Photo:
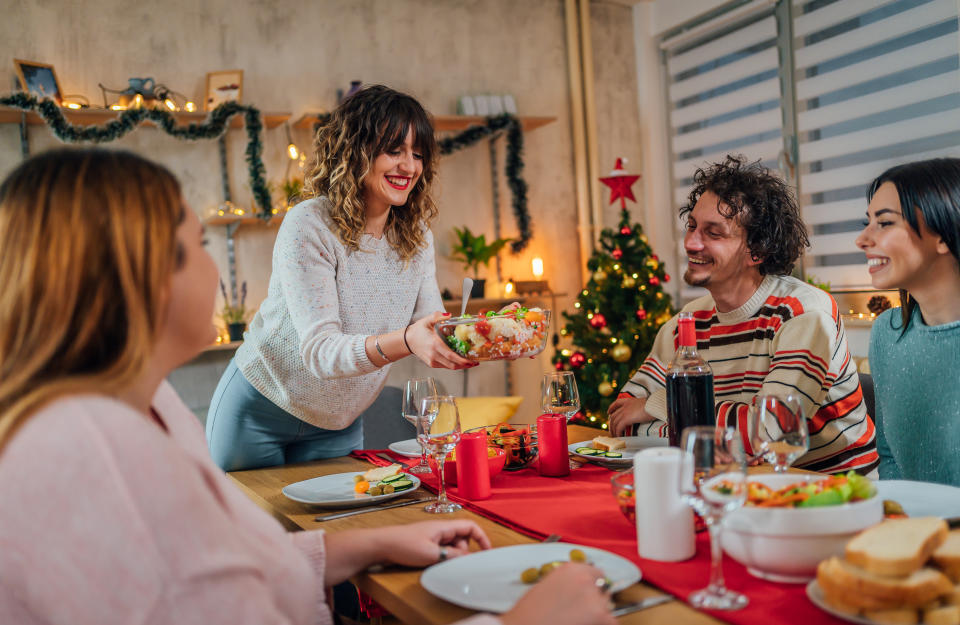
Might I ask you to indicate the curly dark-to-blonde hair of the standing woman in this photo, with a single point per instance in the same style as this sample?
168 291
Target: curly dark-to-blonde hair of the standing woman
372 121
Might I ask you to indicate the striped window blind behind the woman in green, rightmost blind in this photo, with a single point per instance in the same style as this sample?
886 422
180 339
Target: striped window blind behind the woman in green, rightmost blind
877 84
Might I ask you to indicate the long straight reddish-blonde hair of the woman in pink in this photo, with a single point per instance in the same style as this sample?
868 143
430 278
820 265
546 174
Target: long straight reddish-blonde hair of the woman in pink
89 246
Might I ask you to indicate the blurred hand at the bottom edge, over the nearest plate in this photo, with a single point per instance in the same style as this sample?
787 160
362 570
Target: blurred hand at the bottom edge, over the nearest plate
569 595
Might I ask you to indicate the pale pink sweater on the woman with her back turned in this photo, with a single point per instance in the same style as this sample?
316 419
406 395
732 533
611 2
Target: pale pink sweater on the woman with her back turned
105 518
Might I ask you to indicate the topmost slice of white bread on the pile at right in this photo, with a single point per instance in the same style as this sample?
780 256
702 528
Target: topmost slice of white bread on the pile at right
897 547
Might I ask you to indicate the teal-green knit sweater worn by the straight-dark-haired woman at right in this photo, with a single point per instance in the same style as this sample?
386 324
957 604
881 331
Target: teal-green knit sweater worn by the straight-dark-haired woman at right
917 382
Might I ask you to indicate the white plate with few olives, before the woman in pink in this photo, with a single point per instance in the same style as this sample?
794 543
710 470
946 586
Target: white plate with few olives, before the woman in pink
490 580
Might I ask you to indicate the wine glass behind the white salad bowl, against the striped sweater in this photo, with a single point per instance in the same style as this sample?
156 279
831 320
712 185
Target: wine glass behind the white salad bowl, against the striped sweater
777 430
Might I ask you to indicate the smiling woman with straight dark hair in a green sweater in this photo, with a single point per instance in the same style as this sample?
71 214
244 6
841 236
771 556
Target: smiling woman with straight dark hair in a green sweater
912 242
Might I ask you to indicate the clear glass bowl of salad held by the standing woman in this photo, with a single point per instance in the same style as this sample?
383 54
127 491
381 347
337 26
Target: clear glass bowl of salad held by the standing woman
504 335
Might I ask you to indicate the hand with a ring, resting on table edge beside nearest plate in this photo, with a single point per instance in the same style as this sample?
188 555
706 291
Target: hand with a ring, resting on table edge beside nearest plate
429 542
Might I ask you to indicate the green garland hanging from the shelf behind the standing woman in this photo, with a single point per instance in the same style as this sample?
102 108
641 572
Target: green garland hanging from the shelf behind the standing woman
514 163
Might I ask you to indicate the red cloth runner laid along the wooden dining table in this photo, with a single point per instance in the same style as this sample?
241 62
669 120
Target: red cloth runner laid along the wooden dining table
582 509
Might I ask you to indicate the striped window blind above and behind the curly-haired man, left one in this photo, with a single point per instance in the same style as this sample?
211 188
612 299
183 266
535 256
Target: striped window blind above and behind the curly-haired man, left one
724 98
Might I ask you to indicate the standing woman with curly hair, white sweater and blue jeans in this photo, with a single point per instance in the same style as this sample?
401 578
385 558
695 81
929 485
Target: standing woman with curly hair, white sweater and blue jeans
353 289
